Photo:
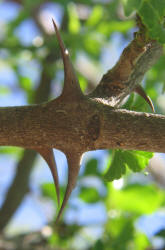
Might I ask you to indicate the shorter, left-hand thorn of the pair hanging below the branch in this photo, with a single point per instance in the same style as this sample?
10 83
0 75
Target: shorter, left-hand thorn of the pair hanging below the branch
47 154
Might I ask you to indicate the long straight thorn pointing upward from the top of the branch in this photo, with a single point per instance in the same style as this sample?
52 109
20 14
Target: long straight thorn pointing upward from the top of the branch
70 79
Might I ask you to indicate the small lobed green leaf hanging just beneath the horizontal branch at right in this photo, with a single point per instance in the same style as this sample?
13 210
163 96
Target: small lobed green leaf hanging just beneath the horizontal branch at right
134 160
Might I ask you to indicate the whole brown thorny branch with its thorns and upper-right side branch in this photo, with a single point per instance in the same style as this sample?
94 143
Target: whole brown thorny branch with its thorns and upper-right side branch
75 123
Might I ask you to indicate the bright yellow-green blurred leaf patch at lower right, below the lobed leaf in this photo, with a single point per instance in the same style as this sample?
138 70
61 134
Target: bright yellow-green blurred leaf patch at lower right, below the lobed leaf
137 198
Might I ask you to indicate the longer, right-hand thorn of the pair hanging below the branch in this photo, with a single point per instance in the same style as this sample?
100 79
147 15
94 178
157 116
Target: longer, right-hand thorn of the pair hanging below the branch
73 171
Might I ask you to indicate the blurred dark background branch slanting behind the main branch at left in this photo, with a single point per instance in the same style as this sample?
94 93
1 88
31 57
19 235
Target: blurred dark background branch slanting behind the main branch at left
20 185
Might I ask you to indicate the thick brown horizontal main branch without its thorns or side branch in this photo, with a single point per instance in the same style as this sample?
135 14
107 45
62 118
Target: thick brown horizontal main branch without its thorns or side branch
61 126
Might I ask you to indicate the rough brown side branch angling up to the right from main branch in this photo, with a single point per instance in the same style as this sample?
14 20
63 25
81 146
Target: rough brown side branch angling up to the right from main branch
137 58
